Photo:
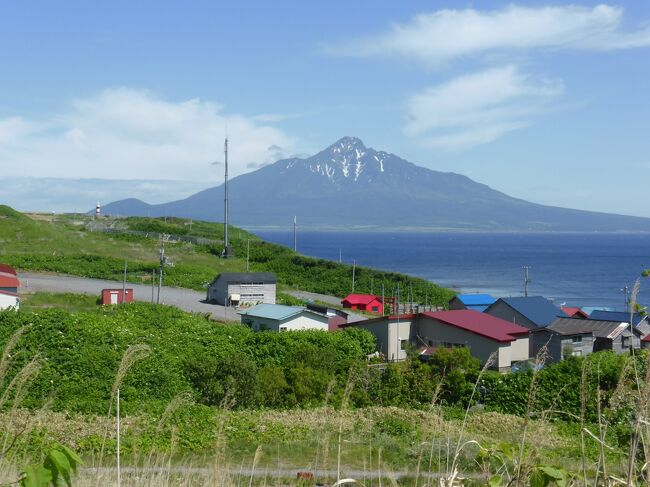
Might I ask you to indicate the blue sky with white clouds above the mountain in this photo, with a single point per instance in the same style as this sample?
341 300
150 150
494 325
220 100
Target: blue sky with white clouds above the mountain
544 101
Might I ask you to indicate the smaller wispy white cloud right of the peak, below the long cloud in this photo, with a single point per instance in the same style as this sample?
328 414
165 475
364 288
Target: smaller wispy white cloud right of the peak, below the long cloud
478 108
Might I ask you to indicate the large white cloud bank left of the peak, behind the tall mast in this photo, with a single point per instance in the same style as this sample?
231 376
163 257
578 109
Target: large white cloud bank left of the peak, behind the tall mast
125 133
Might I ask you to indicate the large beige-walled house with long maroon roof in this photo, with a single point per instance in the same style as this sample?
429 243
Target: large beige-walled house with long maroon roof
483 334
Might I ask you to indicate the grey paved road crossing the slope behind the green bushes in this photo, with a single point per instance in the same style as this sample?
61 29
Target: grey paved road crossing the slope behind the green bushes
184 299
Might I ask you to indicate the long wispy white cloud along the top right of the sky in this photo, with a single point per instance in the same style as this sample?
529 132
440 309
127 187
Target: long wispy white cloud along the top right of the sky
445 35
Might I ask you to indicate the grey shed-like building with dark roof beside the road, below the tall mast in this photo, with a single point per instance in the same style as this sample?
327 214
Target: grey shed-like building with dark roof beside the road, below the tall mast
242 288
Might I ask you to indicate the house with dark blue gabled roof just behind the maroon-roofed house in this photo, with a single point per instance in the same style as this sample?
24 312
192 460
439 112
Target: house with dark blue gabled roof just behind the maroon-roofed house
530 311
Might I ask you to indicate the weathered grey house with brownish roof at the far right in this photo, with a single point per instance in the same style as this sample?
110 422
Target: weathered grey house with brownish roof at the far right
577 336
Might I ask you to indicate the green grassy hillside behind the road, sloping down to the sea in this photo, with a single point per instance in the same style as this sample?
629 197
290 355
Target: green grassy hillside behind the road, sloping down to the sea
79 245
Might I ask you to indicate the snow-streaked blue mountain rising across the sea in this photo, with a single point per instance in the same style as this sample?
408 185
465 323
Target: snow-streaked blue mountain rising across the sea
349 185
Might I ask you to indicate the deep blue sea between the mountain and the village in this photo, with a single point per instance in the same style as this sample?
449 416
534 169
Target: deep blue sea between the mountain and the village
571 269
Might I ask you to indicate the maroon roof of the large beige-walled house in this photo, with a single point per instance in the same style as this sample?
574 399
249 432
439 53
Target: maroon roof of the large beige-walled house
479 323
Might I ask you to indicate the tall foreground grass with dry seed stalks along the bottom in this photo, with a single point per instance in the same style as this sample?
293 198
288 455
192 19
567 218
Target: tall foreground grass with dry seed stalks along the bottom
374 446
